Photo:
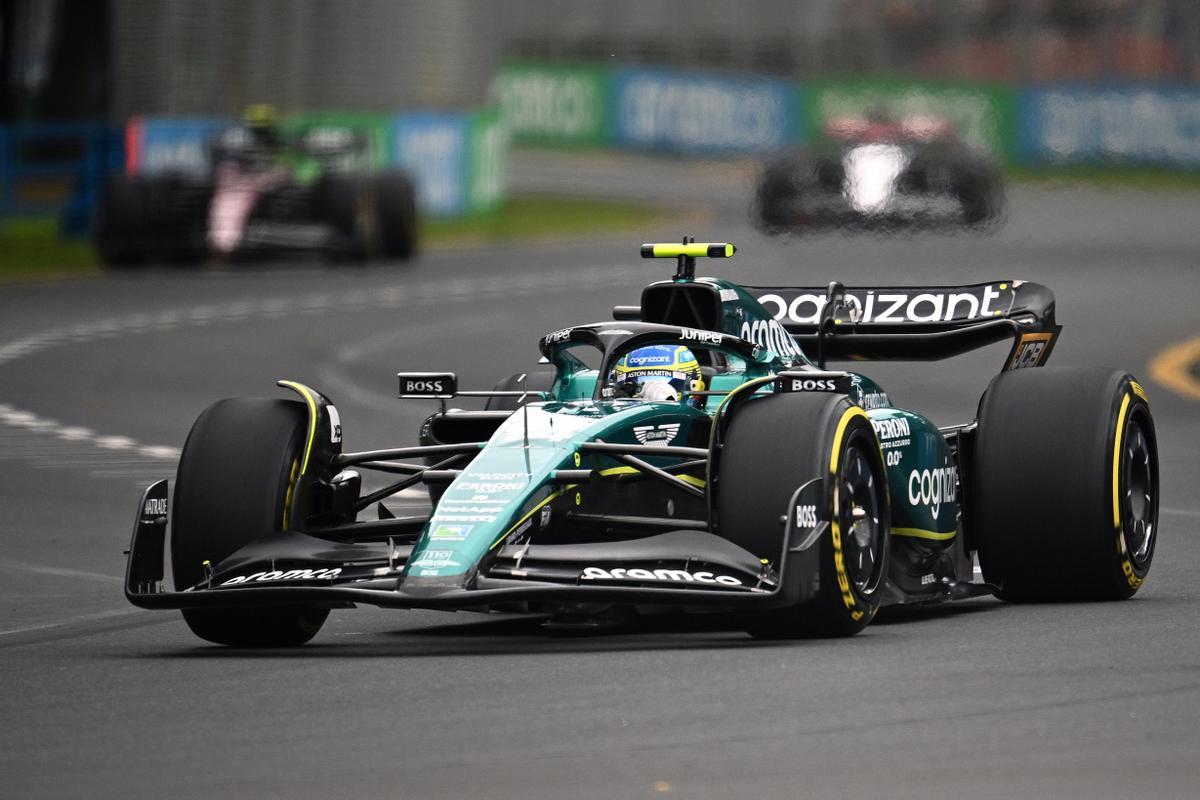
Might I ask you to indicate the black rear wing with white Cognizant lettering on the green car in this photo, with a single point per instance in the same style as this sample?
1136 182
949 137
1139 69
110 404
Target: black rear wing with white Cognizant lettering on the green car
919 323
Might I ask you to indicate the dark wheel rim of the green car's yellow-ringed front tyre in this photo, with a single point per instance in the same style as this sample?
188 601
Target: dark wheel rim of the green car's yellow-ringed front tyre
859 512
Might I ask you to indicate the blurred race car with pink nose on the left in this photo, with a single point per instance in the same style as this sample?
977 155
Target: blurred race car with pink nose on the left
267 195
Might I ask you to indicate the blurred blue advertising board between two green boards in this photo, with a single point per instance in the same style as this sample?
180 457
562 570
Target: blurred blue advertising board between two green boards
699 113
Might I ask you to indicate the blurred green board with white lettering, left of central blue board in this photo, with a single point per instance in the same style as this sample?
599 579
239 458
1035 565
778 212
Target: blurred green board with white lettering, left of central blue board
559 105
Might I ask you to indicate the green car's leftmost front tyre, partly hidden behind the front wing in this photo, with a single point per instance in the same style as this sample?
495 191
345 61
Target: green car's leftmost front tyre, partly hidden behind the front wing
236 478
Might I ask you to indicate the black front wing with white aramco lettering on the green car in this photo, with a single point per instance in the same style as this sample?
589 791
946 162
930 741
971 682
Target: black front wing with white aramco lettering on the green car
681 569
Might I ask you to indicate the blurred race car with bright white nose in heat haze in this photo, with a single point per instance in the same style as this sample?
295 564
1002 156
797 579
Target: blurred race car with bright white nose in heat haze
880 172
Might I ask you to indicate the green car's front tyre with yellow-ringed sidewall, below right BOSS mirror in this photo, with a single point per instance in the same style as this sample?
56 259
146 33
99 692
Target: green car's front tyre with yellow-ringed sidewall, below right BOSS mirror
776 446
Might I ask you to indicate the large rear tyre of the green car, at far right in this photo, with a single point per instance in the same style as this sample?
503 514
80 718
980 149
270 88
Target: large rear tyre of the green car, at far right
1065 486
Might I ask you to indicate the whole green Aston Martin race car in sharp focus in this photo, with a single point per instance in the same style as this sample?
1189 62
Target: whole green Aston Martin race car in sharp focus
743 476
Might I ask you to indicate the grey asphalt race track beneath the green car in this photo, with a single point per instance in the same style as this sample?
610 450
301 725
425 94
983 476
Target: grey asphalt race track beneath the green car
100 381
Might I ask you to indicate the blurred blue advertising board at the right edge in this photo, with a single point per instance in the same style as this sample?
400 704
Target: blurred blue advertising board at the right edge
1151 125
